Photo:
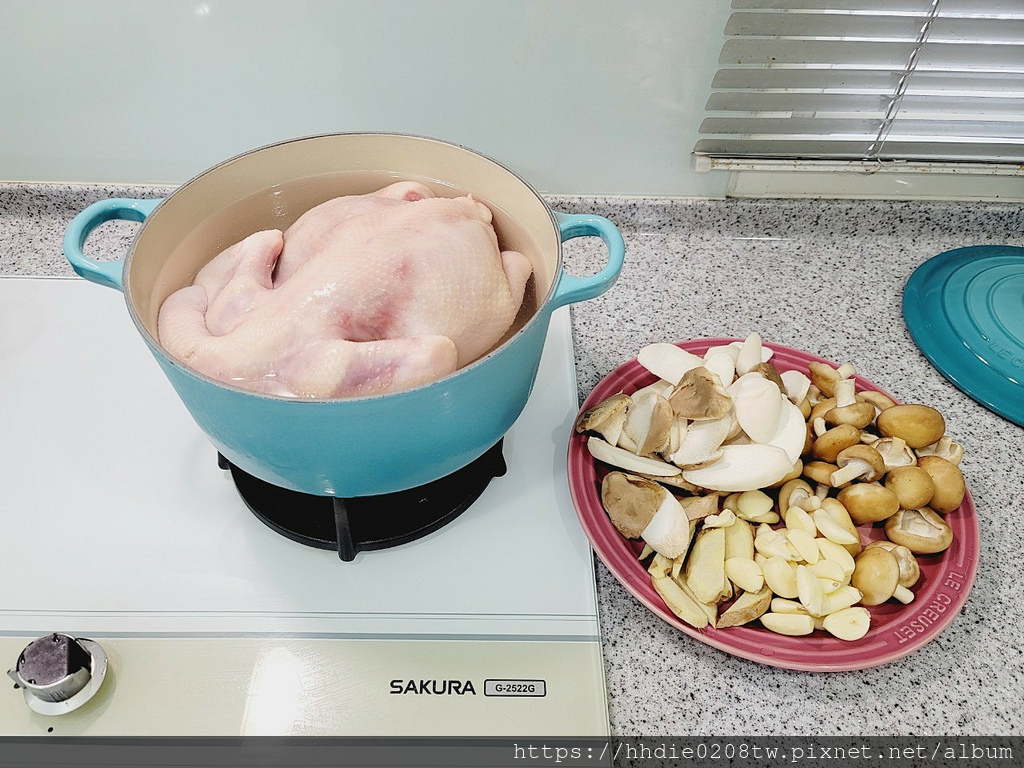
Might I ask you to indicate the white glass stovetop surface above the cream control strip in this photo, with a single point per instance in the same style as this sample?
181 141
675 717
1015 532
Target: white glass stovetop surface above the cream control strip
117 521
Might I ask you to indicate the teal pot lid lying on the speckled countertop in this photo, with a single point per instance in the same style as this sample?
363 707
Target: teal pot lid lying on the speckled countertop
965 310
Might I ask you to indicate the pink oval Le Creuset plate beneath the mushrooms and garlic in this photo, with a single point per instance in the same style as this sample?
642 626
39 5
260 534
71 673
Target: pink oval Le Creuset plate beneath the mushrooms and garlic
897 630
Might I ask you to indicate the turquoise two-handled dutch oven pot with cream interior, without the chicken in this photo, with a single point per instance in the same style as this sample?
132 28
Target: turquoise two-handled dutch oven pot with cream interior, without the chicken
356 447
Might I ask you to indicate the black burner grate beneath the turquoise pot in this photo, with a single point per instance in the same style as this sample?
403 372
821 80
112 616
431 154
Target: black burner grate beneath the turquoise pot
369 523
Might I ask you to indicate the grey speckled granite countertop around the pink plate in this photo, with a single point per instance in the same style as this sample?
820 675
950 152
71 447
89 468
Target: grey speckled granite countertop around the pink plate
826 277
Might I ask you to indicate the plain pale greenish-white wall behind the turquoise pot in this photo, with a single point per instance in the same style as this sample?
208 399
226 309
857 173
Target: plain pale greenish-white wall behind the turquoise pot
604 97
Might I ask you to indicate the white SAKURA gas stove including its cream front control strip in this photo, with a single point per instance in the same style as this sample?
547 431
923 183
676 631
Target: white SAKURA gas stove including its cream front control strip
119 527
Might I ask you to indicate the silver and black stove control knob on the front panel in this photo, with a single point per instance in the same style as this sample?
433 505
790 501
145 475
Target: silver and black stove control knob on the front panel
60 673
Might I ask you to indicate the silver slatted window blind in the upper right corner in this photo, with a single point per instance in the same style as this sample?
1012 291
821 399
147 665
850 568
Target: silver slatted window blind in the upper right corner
918 81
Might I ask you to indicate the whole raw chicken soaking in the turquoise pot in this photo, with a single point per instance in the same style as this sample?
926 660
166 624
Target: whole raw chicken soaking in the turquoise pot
362 295
